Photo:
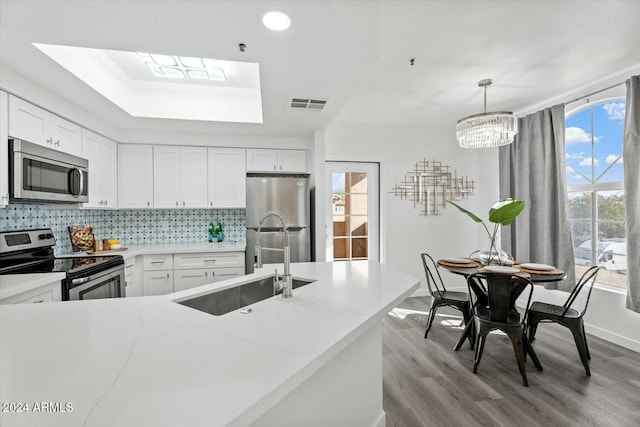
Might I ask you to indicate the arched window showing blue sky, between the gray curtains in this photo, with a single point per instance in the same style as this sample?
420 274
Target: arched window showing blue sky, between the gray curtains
596 190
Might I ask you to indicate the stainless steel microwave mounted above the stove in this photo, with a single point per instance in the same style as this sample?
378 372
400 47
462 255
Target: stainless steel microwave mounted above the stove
40 174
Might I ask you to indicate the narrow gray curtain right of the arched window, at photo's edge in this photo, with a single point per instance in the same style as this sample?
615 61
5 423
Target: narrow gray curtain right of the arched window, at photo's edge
631 156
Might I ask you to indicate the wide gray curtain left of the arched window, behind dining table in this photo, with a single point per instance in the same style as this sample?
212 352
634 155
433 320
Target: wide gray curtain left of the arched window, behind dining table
533 169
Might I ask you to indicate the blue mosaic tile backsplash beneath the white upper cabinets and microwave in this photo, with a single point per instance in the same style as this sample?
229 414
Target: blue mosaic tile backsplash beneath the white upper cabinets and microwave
131 227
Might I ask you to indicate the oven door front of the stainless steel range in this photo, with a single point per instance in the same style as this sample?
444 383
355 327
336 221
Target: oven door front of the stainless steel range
102 284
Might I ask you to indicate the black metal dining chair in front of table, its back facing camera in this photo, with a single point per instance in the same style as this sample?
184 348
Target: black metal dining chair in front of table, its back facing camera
500 312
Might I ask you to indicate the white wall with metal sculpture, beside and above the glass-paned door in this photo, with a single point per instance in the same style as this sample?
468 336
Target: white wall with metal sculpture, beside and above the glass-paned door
405 233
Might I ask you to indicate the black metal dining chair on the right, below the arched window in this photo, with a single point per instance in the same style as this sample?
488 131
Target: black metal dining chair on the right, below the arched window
566 315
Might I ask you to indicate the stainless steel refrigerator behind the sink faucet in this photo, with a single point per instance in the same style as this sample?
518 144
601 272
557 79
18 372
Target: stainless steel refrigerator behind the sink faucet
288 195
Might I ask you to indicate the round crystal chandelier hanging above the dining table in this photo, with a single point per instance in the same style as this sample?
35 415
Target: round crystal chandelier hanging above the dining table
486 130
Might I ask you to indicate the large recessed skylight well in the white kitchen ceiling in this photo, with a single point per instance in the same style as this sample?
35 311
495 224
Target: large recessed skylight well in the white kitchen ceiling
167 86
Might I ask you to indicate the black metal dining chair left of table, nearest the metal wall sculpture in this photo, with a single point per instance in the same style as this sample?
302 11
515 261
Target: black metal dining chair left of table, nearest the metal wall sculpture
440 296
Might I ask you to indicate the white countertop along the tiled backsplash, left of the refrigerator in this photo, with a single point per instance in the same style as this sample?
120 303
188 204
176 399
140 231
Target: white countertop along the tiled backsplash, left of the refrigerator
168 248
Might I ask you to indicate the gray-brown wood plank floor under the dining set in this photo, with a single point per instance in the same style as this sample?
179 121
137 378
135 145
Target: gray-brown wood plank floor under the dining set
426 383
